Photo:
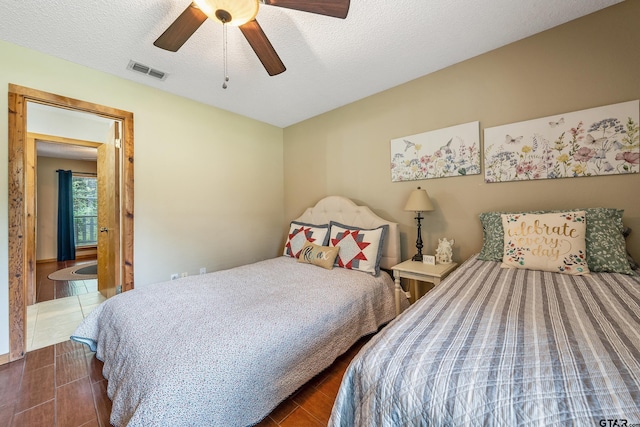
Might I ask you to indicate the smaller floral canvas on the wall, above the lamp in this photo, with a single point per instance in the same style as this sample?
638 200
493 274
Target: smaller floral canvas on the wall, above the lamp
452 151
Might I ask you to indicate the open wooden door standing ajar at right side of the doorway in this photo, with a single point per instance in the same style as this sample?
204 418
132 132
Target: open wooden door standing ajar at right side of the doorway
108 217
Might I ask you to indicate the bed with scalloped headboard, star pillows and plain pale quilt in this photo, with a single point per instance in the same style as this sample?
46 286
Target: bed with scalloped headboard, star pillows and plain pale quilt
235 343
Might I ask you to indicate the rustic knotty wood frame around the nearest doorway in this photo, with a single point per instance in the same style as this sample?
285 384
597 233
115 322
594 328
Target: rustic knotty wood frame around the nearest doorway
20 217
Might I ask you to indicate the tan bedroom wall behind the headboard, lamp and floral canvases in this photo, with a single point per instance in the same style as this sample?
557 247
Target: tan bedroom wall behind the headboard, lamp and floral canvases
586 63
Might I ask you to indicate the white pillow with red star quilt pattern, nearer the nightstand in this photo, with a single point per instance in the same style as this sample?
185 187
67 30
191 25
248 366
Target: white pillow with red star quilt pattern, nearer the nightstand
360 248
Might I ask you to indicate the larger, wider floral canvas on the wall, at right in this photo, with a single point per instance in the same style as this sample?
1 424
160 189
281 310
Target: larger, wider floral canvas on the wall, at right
597 141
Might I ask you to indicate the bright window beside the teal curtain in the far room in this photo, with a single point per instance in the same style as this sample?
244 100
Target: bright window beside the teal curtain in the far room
85 209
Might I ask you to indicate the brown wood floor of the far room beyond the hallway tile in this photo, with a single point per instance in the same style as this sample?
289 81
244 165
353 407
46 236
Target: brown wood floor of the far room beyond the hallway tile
47 289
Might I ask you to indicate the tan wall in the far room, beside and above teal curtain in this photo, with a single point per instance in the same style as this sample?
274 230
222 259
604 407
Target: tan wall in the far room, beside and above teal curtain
47 202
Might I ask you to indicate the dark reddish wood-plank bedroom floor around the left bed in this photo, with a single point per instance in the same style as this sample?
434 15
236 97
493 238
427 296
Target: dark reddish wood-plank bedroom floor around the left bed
62 386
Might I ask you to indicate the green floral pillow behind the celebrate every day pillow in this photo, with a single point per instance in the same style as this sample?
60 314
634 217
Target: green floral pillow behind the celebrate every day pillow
606 248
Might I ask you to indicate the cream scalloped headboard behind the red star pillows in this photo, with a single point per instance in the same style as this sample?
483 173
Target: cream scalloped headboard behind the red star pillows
345 211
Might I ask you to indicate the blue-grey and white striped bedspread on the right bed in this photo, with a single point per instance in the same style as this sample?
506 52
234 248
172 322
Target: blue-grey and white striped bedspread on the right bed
500 347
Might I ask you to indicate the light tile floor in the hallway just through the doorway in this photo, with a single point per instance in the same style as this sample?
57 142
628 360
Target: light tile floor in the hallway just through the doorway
53 321
